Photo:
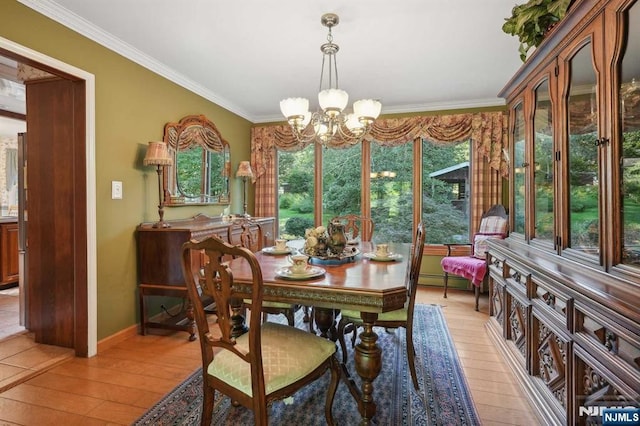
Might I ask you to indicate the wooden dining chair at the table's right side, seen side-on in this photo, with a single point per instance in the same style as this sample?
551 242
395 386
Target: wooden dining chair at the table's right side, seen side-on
351 320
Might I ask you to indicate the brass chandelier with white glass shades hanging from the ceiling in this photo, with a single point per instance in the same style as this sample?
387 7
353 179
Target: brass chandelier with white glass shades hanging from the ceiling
331 121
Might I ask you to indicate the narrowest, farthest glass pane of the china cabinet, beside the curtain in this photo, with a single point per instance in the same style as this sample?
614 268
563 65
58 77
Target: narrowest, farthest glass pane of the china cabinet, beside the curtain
518 170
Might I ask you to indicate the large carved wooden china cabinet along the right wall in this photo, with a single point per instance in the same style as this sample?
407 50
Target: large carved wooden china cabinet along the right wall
565 285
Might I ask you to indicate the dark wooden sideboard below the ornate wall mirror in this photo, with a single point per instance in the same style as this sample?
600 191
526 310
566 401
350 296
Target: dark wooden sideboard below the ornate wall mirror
159 267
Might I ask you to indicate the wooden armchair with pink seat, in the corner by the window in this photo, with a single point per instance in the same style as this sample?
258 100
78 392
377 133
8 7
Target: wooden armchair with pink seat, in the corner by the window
494 224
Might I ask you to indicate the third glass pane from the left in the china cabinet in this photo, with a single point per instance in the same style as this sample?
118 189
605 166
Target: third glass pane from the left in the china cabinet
582 117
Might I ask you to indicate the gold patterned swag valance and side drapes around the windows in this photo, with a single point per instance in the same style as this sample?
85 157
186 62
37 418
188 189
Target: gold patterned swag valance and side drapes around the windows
487 131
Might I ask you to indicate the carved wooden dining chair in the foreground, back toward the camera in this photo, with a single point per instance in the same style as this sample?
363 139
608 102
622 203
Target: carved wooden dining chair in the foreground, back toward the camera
269 362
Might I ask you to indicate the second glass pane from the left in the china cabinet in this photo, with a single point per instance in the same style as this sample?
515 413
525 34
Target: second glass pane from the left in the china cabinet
543 164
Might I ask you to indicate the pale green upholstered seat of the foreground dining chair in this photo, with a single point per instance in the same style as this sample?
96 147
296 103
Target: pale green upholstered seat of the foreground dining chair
288 354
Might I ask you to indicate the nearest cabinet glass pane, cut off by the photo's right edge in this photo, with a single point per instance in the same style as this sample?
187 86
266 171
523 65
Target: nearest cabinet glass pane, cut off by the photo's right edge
629 95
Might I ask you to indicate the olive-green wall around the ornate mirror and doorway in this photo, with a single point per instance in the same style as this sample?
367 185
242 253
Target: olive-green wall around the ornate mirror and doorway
132 106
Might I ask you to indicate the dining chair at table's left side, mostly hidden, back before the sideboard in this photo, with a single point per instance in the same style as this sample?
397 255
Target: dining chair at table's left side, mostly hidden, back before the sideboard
248 234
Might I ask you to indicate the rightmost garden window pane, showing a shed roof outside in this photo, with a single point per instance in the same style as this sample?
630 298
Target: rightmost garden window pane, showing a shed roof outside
446 191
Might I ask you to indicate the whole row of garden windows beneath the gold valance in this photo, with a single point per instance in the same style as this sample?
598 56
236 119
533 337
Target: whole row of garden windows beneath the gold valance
386 192
